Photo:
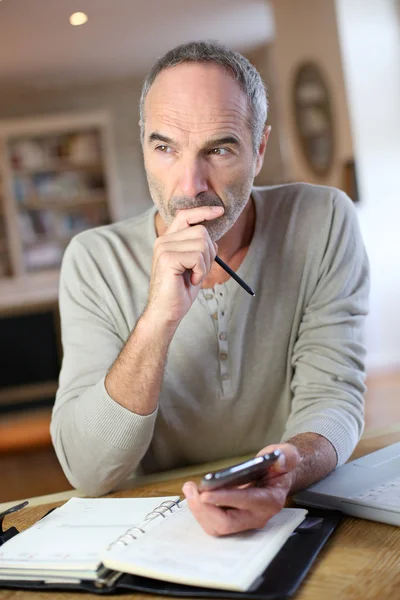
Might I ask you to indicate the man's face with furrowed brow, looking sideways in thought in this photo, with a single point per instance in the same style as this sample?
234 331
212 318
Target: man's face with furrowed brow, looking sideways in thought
197 145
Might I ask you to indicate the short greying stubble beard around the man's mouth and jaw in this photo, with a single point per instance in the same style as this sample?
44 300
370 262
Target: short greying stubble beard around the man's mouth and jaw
233 201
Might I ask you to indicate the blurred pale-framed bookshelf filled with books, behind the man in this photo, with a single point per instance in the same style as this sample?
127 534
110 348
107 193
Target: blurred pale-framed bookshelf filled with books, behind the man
58 181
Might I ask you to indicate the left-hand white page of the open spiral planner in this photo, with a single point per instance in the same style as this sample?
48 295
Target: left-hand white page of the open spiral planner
73 537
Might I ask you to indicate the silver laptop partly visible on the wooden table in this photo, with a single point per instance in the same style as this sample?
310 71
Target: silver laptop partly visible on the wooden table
368 487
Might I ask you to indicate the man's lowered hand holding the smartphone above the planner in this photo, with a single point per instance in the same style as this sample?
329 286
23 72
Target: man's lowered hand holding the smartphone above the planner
231 510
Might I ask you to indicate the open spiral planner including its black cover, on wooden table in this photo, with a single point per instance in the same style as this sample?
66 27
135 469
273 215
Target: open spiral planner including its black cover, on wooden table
155 545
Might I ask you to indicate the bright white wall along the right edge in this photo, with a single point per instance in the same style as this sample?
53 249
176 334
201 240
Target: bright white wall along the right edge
370 38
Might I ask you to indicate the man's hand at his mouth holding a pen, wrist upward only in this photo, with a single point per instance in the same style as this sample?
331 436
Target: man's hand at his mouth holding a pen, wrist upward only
182 258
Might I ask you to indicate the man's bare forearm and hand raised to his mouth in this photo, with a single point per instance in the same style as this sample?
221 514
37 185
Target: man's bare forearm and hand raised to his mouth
182 258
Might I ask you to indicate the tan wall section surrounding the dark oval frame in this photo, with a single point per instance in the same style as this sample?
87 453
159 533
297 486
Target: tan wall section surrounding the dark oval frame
304 30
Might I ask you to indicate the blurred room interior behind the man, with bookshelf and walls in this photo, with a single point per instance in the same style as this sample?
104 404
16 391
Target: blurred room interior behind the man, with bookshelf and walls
70 158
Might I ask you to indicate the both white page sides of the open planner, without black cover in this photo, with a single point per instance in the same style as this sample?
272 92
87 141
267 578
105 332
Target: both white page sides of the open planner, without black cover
158 538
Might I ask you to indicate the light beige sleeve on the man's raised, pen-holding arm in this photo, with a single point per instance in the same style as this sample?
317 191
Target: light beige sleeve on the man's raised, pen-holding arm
98 442
